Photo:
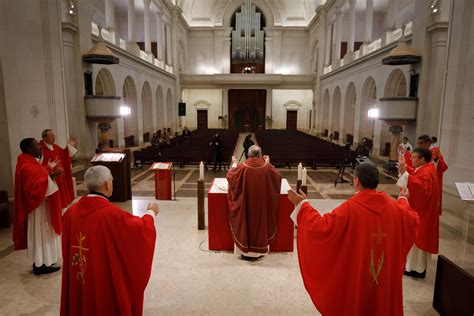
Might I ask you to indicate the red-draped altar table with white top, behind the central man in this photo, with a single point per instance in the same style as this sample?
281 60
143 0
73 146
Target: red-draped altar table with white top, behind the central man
220 237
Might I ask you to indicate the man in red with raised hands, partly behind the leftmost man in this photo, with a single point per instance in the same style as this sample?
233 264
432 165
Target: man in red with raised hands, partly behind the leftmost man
52 152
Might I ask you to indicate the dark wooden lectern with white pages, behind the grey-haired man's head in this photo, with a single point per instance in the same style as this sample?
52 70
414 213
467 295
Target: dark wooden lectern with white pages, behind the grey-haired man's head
118 161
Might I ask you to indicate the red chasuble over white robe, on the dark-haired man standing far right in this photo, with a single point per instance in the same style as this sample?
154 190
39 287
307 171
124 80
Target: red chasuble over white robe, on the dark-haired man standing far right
424 198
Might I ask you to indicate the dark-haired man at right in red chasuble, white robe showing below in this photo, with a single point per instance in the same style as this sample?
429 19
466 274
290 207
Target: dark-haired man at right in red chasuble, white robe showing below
423 185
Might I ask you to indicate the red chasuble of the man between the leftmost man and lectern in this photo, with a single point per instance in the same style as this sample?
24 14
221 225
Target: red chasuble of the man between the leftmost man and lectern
64 181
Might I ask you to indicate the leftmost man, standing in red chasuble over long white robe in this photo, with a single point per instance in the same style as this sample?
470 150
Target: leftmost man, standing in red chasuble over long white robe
37 214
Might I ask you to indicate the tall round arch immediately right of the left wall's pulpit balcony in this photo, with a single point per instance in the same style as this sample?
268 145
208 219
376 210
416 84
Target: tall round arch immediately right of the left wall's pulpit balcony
129 96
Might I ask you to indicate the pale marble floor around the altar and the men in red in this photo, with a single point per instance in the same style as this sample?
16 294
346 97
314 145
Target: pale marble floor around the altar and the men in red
187 279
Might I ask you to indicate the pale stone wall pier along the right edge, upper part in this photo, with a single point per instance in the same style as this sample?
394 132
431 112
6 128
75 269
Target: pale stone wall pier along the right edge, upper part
457 132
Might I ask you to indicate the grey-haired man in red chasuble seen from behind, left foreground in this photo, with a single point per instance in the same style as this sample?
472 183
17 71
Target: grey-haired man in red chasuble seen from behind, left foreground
108 252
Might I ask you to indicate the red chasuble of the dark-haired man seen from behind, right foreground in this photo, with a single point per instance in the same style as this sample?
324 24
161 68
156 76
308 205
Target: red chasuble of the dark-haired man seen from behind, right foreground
352 259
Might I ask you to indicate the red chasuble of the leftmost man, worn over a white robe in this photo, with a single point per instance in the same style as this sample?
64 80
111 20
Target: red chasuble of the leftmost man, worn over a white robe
31 184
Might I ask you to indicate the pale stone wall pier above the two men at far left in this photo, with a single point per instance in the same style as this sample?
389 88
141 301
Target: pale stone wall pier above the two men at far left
33 85
